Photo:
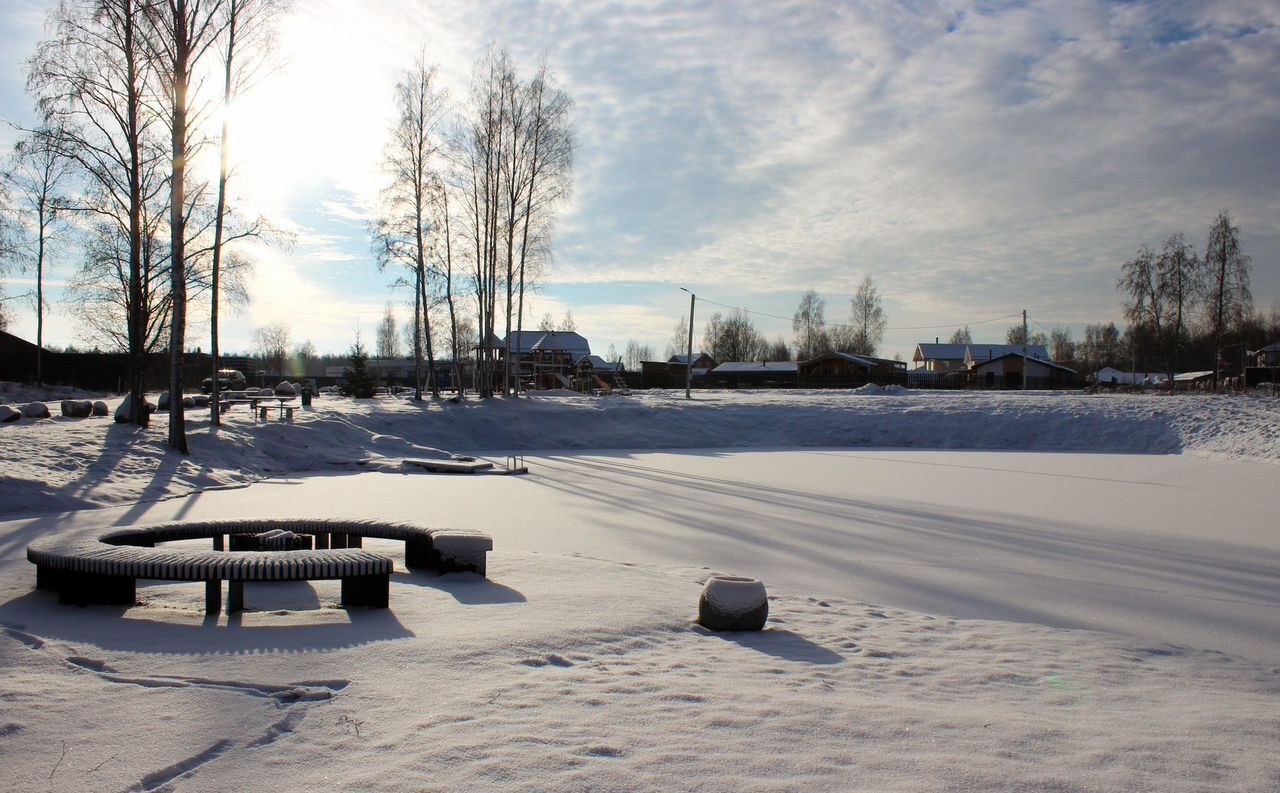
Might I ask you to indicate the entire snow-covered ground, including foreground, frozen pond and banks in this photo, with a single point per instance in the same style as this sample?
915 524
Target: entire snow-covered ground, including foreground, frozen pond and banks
1020 613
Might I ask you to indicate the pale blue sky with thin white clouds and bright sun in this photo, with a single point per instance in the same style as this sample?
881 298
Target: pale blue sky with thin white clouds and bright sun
975 159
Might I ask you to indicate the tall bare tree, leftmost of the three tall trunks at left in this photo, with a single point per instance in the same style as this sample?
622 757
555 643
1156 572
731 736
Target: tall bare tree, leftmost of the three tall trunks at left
92 82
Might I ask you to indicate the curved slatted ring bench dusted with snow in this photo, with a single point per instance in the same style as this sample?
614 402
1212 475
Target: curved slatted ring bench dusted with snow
104 569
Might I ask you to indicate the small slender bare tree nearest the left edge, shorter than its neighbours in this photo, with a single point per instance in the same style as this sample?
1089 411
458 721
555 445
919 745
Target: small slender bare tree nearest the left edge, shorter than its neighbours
38 176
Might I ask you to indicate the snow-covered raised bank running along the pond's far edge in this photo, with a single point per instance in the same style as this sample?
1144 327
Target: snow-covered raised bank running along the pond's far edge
84 464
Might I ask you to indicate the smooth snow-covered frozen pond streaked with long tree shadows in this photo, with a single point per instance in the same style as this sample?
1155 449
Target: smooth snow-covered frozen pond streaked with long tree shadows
1165 548
